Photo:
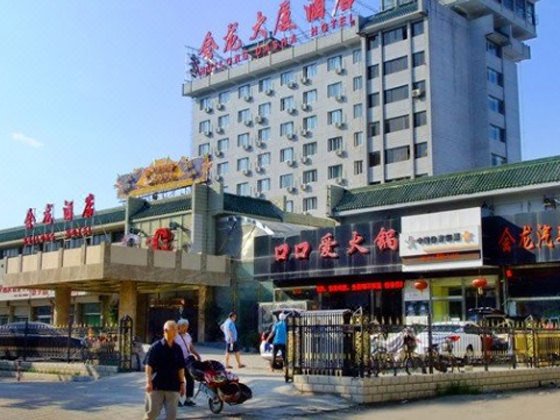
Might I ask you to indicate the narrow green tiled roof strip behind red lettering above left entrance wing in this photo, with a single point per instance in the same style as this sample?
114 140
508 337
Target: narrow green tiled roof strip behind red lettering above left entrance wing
103 217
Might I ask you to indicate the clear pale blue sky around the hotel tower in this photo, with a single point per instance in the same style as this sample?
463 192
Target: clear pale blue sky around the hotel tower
90 89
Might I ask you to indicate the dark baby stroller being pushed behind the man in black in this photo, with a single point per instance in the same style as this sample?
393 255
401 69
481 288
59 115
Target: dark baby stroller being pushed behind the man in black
218 384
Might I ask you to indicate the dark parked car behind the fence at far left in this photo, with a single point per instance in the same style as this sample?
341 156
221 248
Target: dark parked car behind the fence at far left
38 340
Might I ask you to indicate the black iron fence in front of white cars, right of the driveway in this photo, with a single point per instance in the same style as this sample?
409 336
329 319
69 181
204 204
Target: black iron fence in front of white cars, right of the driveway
345 343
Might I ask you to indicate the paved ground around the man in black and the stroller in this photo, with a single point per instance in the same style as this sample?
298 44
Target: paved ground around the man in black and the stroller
122 396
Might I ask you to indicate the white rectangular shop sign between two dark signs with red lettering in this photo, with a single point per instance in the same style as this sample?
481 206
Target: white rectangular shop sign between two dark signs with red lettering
442 240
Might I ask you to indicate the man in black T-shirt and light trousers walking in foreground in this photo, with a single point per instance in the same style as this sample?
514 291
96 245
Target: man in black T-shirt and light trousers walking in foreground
165 375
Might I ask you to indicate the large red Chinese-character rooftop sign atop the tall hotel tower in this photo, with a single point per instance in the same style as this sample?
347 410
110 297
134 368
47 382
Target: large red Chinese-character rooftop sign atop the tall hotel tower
266 42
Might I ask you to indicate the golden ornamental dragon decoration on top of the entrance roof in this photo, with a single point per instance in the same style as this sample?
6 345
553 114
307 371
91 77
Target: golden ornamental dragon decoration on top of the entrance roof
164 175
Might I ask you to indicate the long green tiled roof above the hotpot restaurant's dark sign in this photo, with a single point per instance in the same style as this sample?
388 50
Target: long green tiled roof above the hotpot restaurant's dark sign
517 175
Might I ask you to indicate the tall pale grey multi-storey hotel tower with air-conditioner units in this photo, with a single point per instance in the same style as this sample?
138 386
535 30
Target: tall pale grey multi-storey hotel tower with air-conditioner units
423 87
